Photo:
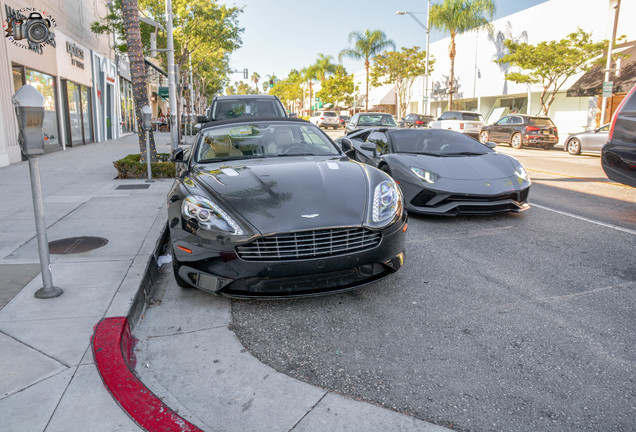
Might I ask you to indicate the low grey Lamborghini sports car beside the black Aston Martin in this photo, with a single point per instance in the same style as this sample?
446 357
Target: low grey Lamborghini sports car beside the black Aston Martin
443 172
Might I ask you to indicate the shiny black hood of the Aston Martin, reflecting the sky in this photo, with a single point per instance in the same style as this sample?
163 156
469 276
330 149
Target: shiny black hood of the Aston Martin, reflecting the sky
289 194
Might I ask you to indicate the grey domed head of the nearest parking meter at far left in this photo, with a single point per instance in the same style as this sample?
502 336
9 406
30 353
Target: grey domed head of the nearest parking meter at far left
29 109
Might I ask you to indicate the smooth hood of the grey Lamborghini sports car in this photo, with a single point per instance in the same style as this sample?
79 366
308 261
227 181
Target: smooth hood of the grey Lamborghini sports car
488 166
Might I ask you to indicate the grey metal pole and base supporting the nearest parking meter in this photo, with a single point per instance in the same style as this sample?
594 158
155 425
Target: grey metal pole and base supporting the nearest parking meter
48 290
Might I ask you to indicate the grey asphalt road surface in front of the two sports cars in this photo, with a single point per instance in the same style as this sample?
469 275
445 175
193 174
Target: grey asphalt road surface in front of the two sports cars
500 323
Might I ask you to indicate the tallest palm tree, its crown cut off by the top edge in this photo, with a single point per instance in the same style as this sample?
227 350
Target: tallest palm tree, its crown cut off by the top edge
456 17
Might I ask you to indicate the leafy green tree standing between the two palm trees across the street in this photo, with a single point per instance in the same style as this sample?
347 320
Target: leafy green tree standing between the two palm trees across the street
400 68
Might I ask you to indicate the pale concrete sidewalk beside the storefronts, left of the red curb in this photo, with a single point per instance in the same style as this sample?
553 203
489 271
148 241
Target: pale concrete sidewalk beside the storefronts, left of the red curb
47 377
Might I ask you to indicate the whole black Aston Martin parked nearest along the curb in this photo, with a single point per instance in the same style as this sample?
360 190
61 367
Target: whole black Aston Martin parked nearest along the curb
258 209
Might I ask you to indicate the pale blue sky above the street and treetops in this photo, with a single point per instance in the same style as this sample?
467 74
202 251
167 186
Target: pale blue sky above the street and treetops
284 34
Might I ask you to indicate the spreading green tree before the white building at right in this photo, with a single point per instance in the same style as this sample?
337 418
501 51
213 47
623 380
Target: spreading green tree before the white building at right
551 63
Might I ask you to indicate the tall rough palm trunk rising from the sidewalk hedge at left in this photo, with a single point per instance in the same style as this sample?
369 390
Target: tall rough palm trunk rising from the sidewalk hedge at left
130 10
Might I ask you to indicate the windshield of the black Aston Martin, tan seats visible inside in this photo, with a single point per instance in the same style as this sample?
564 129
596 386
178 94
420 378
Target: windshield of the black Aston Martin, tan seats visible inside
261 140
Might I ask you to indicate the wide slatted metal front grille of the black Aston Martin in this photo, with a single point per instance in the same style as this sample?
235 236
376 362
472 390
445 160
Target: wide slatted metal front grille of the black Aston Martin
309 244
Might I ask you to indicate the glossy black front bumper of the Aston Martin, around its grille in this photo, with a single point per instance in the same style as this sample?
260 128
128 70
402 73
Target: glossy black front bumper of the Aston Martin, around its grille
216 268
